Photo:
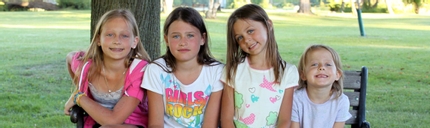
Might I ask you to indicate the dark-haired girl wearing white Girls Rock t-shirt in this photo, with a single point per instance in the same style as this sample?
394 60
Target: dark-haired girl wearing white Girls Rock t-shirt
183 85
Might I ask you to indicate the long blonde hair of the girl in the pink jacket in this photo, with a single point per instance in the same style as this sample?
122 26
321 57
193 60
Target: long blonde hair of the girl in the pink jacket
95 52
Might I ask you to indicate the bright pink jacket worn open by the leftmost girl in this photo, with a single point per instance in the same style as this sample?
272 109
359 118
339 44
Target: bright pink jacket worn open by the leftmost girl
131 88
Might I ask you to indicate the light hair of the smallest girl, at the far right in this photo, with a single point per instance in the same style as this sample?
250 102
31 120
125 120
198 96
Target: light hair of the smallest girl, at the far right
337 86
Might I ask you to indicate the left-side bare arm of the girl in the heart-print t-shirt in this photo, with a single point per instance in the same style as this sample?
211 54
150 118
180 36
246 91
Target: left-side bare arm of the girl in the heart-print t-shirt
227 107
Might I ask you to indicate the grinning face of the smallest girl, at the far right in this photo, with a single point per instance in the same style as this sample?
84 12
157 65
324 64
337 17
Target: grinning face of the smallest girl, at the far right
320 69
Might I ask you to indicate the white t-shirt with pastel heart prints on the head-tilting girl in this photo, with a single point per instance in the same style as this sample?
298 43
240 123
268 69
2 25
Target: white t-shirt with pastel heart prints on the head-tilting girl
258 98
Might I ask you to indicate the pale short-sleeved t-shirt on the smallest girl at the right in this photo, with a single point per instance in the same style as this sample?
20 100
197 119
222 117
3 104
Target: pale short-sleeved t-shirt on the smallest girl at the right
311 115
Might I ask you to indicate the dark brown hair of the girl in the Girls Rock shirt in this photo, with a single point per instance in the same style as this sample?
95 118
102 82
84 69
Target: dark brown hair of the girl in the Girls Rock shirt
192 17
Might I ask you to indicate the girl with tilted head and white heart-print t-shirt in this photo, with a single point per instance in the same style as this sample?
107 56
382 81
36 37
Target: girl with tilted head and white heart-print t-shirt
258 84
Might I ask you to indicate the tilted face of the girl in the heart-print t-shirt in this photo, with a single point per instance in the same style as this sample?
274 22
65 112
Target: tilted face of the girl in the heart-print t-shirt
251 36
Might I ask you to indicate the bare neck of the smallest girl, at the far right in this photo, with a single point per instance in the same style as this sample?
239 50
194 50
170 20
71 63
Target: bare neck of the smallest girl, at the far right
319 95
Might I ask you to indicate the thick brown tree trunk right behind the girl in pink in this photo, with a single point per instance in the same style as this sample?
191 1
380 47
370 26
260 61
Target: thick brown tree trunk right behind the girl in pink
147 17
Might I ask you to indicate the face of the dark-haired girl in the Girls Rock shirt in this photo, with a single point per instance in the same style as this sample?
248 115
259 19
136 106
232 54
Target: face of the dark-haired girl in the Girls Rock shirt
184 40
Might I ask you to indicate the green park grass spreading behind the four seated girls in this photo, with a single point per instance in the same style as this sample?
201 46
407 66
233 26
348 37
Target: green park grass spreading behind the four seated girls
34 83
